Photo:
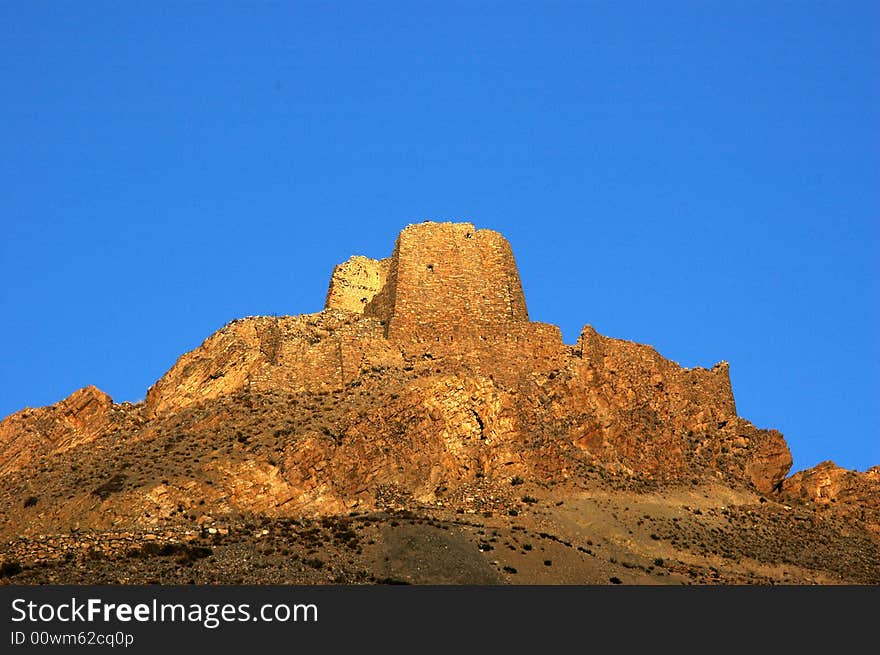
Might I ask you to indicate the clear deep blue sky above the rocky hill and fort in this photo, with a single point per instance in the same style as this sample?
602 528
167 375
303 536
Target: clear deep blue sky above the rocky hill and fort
700 176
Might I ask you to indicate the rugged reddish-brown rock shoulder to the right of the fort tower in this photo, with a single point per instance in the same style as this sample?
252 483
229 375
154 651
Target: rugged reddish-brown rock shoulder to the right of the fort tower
652 416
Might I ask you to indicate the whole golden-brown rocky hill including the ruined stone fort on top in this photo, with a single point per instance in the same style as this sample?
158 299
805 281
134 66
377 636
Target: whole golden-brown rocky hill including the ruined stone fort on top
422 429
